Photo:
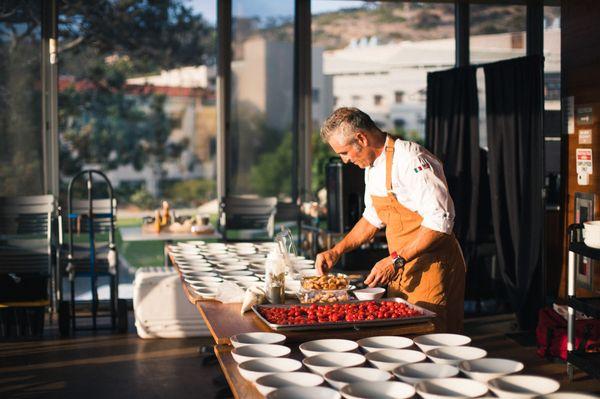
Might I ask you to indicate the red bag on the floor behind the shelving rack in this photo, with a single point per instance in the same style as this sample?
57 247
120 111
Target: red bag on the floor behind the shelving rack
551 334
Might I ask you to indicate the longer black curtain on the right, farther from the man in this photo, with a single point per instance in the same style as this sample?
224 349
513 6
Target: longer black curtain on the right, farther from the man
514 101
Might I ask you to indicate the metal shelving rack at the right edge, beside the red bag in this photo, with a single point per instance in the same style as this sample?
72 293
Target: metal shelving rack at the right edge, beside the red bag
588 362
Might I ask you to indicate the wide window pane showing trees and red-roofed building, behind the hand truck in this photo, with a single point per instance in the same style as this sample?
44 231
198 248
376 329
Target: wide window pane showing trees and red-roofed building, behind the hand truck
142 110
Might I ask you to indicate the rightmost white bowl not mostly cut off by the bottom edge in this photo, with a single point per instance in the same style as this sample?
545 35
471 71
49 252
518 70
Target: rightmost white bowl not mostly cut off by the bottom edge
522 386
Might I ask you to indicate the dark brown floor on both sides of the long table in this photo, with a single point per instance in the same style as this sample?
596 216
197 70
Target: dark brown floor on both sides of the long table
106 365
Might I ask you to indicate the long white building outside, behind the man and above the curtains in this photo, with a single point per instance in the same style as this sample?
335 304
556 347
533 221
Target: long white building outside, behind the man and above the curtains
389 81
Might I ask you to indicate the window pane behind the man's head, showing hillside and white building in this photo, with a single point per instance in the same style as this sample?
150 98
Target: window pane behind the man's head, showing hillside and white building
379 65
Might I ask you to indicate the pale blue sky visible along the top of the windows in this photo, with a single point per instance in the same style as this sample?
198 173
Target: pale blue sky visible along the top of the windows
268 8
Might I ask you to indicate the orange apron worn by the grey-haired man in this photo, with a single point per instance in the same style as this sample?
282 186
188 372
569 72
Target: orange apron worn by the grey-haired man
435 280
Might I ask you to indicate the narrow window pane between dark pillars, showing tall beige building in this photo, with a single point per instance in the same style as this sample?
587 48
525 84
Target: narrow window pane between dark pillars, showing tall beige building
260 147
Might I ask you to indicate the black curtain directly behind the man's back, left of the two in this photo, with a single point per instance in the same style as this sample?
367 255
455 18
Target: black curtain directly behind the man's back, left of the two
452 134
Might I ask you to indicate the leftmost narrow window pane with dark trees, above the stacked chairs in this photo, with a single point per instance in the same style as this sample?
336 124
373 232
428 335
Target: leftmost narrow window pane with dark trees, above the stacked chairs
21 165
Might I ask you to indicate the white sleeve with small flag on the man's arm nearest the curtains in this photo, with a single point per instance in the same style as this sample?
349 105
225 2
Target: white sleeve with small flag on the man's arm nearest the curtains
430 192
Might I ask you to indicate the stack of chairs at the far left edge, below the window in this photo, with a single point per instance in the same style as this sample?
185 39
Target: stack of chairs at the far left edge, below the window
26 262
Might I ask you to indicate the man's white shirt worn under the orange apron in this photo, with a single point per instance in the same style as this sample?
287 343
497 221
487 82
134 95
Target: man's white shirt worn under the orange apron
418 183
